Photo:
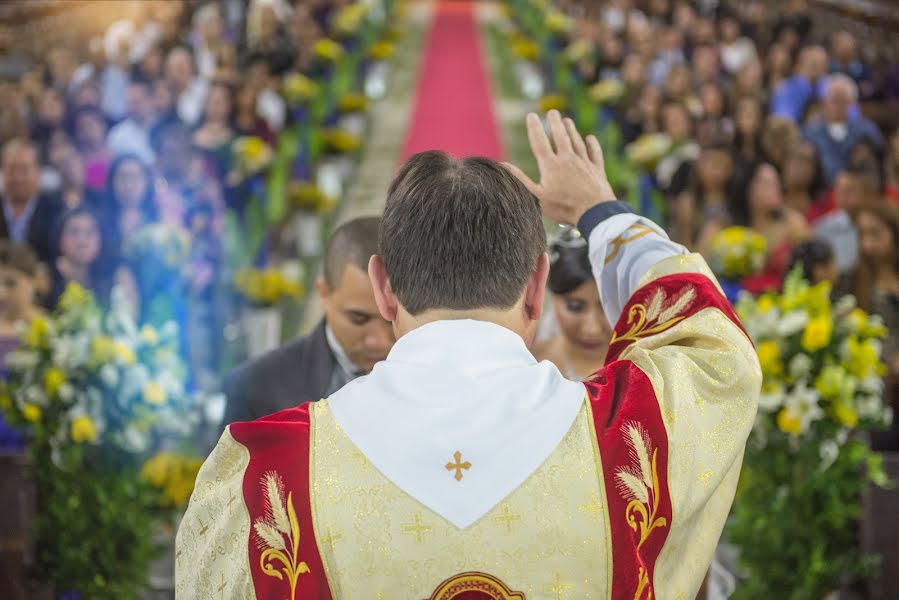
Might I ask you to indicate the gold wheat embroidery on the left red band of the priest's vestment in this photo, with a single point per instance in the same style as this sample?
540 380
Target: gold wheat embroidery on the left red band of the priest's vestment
278 534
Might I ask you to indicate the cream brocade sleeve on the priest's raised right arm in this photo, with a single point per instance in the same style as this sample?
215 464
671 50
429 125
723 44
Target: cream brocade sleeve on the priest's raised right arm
706 376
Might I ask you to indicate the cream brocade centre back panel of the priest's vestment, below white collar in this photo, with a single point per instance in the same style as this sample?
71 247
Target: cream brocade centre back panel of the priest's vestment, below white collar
378 542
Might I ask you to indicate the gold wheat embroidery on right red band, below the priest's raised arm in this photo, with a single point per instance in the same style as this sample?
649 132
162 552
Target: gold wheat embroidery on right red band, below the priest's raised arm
639 483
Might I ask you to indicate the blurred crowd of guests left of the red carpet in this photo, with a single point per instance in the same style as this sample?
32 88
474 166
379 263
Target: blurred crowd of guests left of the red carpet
134 131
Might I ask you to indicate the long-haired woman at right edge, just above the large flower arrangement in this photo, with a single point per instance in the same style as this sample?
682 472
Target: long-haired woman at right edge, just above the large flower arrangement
875 282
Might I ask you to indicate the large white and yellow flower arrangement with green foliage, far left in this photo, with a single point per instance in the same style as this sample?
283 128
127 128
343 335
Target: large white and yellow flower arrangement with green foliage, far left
97 396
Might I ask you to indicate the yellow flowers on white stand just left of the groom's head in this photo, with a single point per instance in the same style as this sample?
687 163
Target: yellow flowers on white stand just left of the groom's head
263 290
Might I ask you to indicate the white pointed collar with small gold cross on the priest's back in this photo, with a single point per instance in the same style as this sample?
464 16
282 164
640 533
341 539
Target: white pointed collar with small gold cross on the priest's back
466 386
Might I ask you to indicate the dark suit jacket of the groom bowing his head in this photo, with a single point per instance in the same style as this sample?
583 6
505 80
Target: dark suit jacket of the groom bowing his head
295 373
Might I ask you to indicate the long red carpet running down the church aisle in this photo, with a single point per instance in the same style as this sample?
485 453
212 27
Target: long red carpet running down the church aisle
453 106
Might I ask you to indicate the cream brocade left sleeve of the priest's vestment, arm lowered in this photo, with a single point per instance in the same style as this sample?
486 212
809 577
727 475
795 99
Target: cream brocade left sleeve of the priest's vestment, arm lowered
211 547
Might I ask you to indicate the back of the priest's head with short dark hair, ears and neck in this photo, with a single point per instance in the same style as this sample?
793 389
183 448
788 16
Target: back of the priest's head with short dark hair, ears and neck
459 238
